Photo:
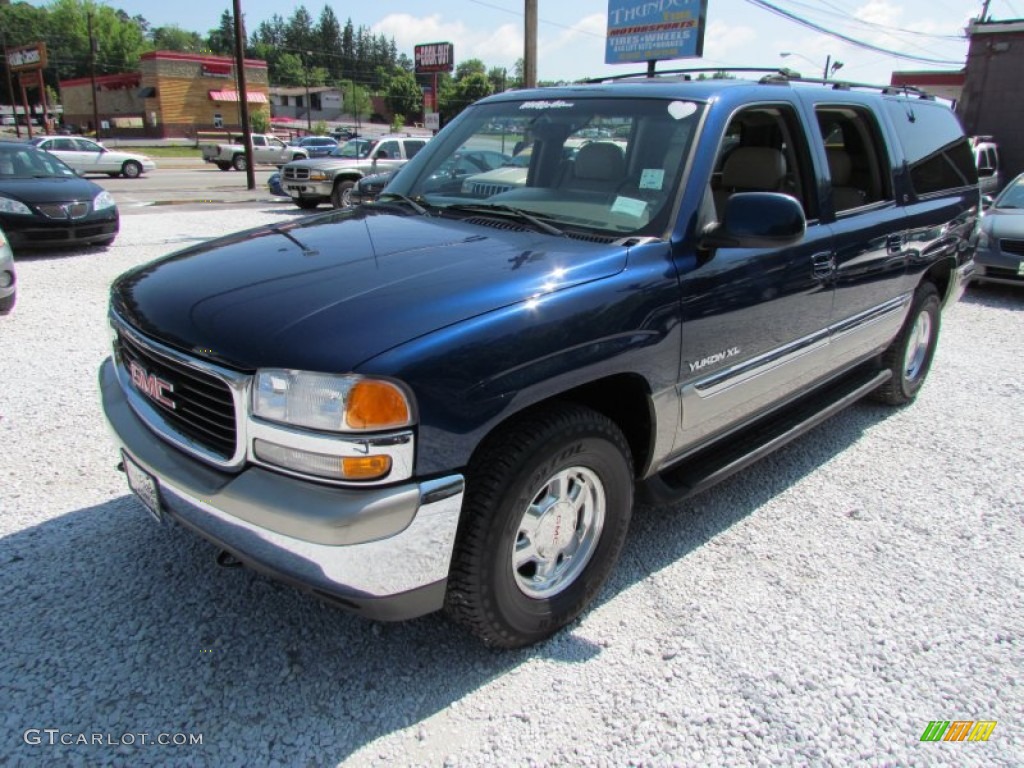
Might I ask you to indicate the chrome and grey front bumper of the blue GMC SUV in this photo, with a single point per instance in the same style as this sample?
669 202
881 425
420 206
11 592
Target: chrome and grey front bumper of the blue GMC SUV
383 552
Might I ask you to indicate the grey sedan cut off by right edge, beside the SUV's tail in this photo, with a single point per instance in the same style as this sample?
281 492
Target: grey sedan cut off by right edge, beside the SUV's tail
1001 238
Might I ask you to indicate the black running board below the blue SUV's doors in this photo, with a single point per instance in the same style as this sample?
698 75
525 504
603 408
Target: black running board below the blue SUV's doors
719 461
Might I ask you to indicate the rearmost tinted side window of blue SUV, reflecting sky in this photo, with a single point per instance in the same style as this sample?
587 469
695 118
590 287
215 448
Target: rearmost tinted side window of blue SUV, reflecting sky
937 152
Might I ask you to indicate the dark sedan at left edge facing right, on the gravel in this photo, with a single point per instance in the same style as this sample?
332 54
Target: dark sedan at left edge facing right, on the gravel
44 203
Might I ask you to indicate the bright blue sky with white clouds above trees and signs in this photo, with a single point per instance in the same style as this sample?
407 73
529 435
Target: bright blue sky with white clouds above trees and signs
572 34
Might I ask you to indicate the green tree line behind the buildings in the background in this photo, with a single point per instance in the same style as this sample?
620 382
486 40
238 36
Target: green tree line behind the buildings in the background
298 51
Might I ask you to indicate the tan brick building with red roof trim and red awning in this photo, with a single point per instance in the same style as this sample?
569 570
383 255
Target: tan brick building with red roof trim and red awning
173 95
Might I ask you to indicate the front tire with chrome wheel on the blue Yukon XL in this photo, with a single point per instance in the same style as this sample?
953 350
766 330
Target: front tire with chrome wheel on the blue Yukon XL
518 471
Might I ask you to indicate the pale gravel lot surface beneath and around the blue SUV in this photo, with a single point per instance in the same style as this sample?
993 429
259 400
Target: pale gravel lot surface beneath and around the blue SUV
820 609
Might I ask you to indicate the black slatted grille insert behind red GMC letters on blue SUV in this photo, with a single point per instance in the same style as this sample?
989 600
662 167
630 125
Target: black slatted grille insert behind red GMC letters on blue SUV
203 408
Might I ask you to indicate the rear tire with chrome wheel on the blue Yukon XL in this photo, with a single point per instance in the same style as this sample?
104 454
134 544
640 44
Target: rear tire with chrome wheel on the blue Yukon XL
910 357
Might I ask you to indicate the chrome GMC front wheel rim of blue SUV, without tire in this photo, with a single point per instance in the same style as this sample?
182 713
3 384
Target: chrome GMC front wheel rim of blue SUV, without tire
559 533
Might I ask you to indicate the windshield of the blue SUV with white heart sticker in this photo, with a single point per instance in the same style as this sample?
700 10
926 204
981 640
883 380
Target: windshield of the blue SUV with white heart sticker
612 165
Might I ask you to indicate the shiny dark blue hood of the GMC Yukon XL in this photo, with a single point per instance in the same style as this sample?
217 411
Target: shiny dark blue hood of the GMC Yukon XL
327 293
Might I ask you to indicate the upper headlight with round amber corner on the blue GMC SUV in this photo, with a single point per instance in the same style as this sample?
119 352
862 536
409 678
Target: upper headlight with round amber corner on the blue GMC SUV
330 402
